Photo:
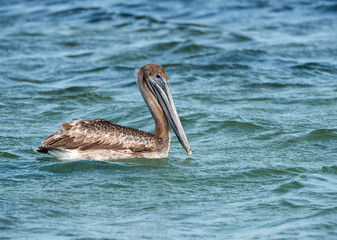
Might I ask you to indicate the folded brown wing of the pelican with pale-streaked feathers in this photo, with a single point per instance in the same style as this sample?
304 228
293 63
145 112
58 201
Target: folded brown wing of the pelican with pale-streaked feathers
98 134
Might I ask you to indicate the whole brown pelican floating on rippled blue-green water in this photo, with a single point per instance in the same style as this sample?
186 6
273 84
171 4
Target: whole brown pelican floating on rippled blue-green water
100 139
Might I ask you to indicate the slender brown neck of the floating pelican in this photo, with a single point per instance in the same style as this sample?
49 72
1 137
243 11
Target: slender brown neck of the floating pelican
161 125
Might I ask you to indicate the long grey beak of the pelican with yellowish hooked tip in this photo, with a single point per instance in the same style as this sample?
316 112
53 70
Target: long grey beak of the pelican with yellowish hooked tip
159 88
